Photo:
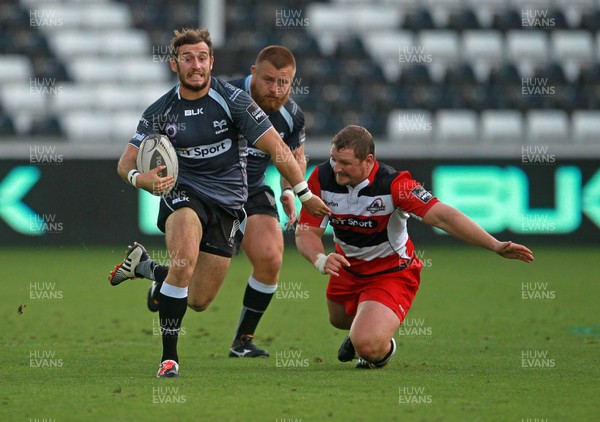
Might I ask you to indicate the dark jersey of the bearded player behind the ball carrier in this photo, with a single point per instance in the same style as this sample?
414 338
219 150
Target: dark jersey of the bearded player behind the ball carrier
289 123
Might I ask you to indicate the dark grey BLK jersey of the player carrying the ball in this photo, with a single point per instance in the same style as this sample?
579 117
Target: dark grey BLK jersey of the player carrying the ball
210 135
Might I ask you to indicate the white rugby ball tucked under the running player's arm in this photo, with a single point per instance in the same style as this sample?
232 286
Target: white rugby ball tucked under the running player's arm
157 150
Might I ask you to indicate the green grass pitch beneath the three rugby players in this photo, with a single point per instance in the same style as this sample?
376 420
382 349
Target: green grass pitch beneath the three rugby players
487 339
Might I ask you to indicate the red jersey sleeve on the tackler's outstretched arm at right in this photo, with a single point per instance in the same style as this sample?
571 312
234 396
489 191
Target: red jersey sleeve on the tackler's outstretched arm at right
410 196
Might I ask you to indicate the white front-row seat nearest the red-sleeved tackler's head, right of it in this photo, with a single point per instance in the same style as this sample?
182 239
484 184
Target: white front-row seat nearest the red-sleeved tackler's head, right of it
410 126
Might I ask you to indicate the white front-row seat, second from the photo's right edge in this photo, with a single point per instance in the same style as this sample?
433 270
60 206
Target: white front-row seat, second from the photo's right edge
547 127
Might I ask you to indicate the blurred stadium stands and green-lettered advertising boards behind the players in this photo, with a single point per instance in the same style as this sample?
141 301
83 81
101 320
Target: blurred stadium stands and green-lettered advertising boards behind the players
451 89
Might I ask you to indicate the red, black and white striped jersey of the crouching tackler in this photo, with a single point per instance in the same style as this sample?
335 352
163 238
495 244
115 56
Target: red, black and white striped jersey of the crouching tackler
369 221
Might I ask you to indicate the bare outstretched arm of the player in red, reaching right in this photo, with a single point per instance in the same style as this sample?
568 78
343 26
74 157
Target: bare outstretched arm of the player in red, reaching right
457 224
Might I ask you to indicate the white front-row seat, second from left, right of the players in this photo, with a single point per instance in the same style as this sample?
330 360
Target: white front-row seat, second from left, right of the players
454 127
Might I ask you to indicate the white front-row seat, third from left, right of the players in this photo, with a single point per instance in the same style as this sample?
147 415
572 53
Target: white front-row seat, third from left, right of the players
501 127
